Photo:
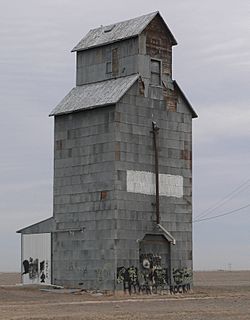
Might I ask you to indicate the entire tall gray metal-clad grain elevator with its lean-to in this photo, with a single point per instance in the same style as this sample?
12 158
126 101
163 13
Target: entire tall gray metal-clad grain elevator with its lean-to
122 215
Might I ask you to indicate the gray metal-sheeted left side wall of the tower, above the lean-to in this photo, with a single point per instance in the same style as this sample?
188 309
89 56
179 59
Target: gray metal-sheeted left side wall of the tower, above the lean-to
85 257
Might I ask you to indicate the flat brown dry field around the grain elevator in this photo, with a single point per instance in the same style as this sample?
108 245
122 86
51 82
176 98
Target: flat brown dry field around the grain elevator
217 296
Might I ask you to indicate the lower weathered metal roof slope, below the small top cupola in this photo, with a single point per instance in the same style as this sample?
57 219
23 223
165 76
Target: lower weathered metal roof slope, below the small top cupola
94 95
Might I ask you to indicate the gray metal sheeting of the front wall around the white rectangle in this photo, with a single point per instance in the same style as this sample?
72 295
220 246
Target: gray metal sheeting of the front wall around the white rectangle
135 210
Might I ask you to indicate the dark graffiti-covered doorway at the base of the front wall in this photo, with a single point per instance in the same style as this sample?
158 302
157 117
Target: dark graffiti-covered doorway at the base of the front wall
154 257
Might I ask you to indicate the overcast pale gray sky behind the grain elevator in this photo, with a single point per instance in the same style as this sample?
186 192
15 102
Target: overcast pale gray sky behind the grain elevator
212 65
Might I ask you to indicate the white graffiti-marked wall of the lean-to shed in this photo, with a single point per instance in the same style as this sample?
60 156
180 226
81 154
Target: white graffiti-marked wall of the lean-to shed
36 258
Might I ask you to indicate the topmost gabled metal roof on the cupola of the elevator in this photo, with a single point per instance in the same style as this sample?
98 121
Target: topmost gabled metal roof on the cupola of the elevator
118 31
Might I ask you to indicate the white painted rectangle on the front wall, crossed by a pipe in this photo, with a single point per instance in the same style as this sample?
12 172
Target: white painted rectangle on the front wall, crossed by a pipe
144 182
